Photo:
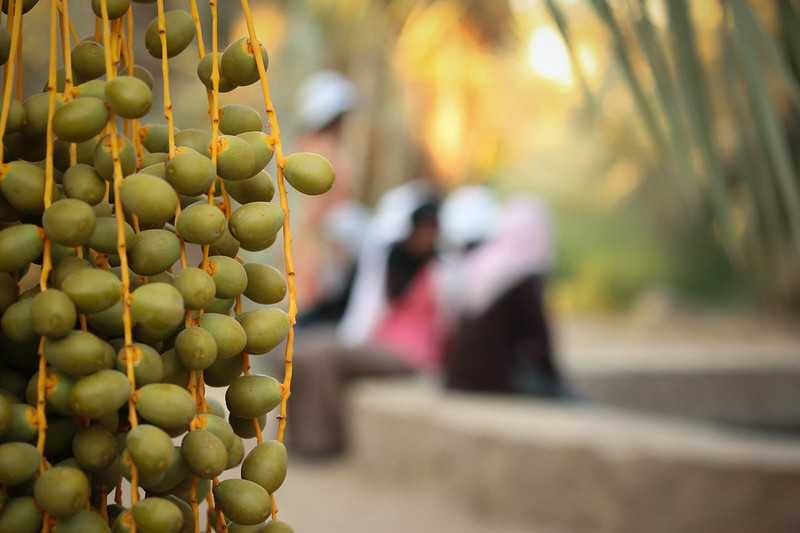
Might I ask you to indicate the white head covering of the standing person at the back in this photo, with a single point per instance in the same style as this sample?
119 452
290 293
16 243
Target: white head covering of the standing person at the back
323 96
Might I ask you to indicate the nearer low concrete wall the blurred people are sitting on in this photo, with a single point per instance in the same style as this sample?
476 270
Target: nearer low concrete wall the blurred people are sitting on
574 467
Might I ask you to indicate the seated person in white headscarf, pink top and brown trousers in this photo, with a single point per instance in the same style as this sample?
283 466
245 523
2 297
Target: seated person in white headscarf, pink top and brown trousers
390 326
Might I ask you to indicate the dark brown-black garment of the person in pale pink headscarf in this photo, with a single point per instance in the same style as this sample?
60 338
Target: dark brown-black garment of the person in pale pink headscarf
507 347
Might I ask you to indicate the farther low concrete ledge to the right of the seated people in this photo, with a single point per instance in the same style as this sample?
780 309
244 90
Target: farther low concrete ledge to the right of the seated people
742 372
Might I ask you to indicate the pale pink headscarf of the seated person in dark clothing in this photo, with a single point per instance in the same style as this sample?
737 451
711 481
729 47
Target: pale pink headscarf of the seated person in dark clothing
519 245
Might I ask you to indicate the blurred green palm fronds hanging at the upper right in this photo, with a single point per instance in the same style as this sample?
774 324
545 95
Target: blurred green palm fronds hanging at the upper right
719 99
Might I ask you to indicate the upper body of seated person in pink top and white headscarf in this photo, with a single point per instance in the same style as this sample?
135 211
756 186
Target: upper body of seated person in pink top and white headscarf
400 248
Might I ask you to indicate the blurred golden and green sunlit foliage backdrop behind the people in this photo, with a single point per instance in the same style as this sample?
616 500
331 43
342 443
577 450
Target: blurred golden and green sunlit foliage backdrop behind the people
664 134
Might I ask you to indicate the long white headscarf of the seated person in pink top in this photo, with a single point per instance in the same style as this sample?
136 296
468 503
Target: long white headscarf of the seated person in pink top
391 223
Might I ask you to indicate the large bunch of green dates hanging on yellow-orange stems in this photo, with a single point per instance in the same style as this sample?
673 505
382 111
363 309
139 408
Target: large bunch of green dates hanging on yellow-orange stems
104 363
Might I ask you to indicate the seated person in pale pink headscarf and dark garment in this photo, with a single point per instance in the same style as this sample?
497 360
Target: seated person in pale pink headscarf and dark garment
501 340
